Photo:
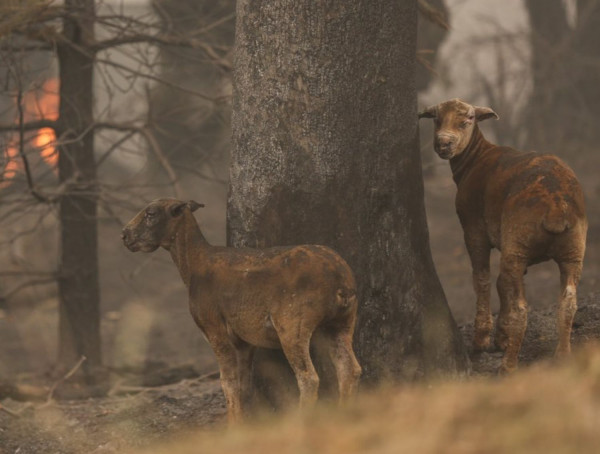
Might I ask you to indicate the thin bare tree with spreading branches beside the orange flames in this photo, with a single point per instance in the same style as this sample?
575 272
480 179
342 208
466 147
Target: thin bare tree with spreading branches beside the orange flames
89 49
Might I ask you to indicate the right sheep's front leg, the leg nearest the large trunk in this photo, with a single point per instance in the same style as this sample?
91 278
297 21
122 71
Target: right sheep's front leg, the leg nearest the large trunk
479 253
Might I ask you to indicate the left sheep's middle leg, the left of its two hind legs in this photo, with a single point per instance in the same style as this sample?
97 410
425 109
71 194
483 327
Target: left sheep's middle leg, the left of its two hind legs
295 342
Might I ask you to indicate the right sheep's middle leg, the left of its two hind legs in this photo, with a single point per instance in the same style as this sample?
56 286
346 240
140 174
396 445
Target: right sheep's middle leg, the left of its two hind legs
511 290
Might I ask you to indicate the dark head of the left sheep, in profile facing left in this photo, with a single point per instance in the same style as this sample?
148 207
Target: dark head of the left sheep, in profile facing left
156 224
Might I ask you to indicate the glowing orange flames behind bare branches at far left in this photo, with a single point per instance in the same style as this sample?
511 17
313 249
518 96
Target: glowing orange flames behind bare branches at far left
38 104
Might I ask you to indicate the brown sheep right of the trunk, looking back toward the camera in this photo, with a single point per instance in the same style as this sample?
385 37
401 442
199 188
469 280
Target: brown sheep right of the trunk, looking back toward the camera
527 205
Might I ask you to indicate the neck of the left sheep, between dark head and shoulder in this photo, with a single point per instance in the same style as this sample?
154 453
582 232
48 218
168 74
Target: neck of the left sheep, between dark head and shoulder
187 245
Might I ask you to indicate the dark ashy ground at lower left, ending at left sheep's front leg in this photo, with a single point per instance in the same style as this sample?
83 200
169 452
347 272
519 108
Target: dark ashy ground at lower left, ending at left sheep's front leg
112 424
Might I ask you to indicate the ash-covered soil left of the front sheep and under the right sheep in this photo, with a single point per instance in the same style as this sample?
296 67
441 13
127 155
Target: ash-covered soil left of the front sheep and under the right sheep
138 416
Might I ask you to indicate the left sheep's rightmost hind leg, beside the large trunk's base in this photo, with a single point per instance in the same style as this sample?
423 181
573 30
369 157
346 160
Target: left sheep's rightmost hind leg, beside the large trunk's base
346 366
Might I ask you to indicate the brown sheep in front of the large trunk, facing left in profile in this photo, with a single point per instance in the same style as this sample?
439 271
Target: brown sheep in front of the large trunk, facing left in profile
243 298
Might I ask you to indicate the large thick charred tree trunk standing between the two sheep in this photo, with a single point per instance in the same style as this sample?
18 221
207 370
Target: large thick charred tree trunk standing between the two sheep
325 151
